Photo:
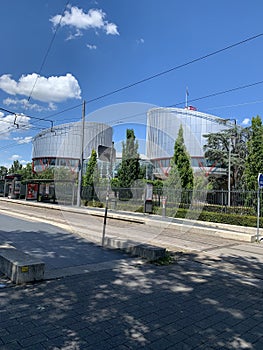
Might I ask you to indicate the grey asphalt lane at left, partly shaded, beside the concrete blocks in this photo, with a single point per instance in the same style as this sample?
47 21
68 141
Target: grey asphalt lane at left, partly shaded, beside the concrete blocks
59 249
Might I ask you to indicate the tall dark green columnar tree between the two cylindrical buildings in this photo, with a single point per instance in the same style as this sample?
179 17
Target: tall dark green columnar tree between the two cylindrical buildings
129 170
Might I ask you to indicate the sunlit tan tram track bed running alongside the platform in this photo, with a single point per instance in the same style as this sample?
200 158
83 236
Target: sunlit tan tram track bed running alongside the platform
90 227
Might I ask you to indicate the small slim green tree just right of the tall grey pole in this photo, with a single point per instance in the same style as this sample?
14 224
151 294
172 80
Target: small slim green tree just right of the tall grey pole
90 177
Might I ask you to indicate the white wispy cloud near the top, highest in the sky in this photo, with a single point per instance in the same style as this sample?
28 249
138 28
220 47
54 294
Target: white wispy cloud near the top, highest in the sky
94 19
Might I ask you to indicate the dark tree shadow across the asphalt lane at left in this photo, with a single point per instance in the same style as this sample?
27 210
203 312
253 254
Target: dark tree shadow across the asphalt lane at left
57 248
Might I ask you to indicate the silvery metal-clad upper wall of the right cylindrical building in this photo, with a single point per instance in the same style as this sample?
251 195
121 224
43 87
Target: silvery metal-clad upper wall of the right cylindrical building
163 125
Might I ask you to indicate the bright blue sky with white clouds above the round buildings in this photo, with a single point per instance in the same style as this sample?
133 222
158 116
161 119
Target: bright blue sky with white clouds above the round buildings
101 46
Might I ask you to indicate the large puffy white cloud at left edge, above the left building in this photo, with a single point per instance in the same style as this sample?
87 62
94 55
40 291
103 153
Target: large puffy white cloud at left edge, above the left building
51 89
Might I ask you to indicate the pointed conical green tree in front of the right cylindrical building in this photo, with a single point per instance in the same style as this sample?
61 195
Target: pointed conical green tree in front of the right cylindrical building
181 173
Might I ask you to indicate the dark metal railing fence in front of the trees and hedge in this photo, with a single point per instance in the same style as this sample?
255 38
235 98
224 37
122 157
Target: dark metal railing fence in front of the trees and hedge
133 199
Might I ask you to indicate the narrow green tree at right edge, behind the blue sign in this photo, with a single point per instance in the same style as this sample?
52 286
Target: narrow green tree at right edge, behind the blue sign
254 159
